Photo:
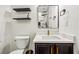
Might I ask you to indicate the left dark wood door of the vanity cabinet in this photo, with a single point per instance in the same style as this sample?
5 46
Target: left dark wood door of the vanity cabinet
41 48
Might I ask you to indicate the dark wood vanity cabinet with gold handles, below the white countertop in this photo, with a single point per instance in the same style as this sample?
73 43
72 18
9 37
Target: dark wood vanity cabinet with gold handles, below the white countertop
56 48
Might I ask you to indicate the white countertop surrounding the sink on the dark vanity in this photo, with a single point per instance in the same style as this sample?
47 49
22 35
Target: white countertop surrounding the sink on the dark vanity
38 39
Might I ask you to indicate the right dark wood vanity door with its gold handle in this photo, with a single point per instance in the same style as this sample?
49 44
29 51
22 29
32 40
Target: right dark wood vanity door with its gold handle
64 48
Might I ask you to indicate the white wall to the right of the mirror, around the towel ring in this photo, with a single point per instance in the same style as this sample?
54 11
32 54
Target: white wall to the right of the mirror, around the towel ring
70 22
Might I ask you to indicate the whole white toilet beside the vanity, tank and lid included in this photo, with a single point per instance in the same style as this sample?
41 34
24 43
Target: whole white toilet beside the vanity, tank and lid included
21 43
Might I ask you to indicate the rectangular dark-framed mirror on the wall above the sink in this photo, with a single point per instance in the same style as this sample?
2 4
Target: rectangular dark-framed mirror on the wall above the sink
48 16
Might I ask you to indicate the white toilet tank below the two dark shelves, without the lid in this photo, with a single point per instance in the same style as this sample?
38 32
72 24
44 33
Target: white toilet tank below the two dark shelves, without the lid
21 41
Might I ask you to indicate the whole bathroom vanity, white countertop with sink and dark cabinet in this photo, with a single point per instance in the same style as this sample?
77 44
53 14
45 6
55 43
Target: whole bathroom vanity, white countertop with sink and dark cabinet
53 44
